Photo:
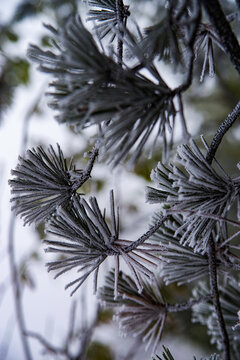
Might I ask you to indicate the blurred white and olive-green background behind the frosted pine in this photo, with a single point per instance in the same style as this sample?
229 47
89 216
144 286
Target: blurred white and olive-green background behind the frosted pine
26 121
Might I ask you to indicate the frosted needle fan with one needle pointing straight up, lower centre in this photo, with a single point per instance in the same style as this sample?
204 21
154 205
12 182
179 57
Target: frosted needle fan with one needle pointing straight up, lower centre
85 240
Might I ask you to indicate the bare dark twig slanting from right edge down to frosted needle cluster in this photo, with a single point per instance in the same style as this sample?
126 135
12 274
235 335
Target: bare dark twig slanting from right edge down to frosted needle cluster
225 126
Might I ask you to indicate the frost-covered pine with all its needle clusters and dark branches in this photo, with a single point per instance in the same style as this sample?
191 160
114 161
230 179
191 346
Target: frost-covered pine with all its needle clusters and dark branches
111 77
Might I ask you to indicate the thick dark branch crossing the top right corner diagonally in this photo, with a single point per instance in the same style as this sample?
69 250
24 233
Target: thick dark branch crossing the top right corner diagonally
224 30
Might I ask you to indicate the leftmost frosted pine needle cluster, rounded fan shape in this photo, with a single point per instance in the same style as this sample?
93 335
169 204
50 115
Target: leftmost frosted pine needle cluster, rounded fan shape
42 182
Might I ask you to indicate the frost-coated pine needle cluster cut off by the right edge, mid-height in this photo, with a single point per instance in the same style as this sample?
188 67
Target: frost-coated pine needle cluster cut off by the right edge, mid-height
193 188
